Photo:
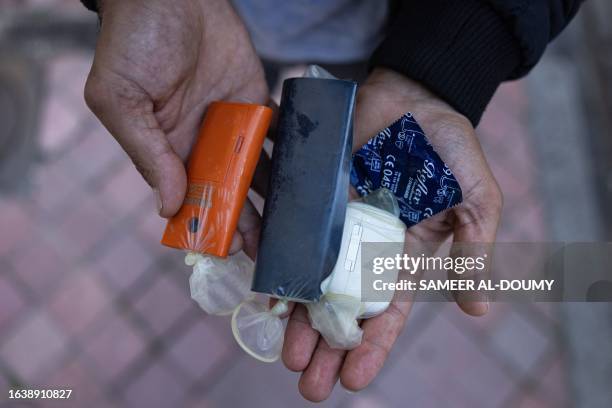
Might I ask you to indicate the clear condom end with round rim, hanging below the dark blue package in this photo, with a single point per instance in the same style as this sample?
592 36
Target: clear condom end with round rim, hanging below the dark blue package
259 330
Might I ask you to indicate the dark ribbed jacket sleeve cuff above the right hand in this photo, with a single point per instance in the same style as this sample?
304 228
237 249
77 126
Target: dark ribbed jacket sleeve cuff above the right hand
462 50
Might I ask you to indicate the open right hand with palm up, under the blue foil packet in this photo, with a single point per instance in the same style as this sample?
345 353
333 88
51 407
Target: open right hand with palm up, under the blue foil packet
383 99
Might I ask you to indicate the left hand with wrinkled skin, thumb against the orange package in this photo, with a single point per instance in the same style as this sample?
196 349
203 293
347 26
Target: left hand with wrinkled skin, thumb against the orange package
157 66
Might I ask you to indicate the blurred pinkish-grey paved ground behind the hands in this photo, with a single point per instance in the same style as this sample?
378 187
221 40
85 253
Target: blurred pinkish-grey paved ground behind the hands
91 301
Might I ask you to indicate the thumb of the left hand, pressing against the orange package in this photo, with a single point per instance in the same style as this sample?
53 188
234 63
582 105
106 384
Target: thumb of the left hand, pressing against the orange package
127 112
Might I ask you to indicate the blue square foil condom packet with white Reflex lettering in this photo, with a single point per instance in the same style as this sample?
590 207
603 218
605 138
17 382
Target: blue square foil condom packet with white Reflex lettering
401 159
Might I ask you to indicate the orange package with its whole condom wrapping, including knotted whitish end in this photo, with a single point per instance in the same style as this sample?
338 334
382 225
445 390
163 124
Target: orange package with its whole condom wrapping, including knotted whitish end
219 172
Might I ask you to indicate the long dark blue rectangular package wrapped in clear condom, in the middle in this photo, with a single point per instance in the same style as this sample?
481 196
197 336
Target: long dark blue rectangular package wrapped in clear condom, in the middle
306 203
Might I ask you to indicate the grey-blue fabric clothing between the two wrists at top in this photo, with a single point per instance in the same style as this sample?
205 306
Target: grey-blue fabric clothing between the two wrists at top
331 31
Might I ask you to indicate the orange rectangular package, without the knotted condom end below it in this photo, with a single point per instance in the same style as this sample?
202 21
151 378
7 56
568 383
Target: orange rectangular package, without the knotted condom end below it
219 173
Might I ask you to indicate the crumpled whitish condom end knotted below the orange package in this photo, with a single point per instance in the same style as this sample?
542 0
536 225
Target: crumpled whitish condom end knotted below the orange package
219 285
